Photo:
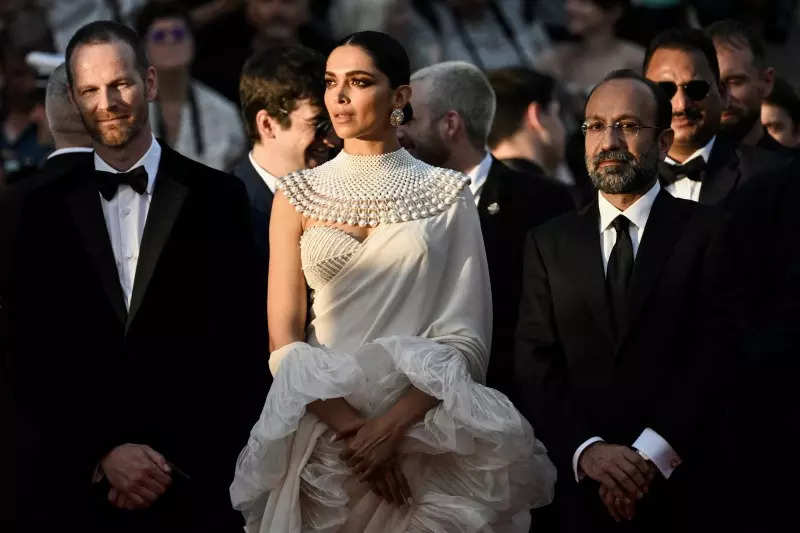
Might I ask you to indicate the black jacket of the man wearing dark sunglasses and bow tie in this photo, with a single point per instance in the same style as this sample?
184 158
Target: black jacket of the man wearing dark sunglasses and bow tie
731 166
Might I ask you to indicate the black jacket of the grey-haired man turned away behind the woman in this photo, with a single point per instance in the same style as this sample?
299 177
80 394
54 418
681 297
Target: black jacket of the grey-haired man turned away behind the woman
510 205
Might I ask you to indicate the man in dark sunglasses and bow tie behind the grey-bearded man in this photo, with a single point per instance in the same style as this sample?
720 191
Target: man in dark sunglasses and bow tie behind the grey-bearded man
701 165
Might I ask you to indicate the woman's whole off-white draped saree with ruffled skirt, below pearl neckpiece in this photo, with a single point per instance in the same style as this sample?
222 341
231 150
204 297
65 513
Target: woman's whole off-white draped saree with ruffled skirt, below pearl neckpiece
409 306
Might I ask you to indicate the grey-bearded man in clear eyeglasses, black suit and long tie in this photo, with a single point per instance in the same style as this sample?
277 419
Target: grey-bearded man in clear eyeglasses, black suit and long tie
611 315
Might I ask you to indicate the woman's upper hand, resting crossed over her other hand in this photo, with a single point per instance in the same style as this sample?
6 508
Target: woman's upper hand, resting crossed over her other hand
373 446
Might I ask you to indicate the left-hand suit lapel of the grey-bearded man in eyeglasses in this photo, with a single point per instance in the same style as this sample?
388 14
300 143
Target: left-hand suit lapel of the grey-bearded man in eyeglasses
587 261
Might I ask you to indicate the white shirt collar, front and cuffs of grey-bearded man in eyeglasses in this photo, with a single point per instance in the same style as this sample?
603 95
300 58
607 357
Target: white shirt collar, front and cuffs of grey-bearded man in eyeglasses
650 443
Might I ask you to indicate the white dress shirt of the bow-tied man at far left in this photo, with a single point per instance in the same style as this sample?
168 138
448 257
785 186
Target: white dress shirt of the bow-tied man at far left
125 215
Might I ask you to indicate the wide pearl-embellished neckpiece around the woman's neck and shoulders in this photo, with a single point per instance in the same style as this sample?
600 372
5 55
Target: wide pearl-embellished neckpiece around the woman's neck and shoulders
367 190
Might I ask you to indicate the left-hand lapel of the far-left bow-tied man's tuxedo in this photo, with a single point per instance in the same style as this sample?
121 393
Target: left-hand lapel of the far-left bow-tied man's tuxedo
84 205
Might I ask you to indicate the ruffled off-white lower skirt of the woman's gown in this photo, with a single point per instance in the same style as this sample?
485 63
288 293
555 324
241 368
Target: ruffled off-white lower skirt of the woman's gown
473 463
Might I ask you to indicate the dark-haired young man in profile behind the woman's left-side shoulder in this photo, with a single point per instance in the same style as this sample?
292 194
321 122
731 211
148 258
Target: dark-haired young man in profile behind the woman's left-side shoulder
282 106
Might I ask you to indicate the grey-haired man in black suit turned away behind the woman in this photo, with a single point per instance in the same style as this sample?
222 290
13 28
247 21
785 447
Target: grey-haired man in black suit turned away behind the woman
454 105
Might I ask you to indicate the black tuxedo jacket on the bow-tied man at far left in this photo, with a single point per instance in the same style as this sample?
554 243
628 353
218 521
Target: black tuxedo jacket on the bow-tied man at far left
182 370
